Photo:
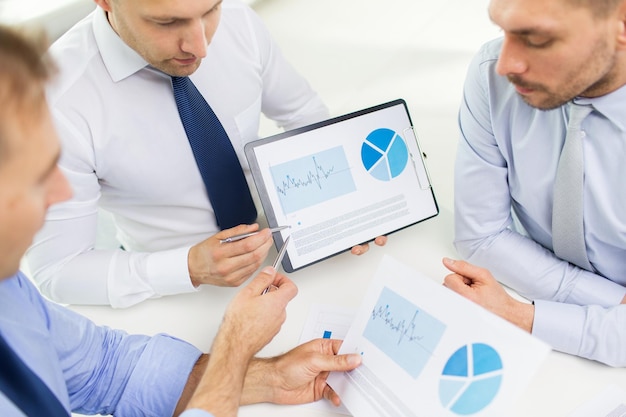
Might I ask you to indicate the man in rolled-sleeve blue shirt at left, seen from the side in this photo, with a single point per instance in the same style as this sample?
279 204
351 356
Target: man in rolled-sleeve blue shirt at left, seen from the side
54 361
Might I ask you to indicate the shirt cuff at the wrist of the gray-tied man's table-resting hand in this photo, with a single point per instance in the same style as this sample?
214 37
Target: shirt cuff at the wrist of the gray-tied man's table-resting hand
560 325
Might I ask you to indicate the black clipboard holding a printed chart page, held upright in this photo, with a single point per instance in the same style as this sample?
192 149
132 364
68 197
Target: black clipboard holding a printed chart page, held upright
342 182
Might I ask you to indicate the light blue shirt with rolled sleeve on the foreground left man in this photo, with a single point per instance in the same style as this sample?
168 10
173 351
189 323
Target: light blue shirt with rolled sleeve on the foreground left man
92 369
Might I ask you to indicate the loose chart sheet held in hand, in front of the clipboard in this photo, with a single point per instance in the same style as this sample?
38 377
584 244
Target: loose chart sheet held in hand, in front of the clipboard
429 352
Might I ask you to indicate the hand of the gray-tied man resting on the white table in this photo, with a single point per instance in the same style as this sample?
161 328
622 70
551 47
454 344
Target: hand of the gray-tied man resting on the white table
478 285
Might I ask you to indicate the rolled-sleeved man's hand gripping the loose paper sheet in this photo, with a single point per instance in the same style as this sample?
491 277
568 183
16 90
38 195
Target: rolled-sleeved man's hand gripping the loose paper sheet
298 376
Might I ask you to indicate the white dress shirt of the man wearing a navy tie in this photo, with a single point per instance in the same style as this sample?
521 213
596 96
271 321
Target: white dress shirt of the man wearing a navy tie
125 150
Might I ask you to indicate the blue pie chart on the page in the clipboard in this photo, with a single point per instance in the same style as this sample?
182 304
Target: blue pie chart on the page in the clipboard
384 154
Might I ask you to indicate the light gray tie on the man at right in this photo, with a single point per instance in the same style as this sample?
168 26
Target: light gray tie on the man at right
568 239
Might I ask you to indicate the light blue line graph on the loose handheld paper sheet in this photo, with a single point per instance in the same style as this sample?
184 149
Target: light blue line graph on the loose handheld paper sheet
406 334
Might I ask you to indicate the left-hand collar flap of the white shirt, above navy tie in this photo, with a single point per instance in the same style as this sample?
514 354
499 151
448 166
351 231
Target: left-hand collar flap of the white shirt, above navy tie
120 60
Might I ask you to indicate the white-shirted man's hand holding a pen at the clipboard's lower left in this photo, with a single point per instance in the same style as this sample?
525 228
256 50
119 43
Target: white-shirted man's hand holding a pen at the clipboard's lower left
228 264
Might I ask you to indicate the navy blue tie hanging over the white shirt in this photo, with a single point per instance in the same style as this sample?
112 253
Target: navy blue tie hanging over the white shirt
216 158
